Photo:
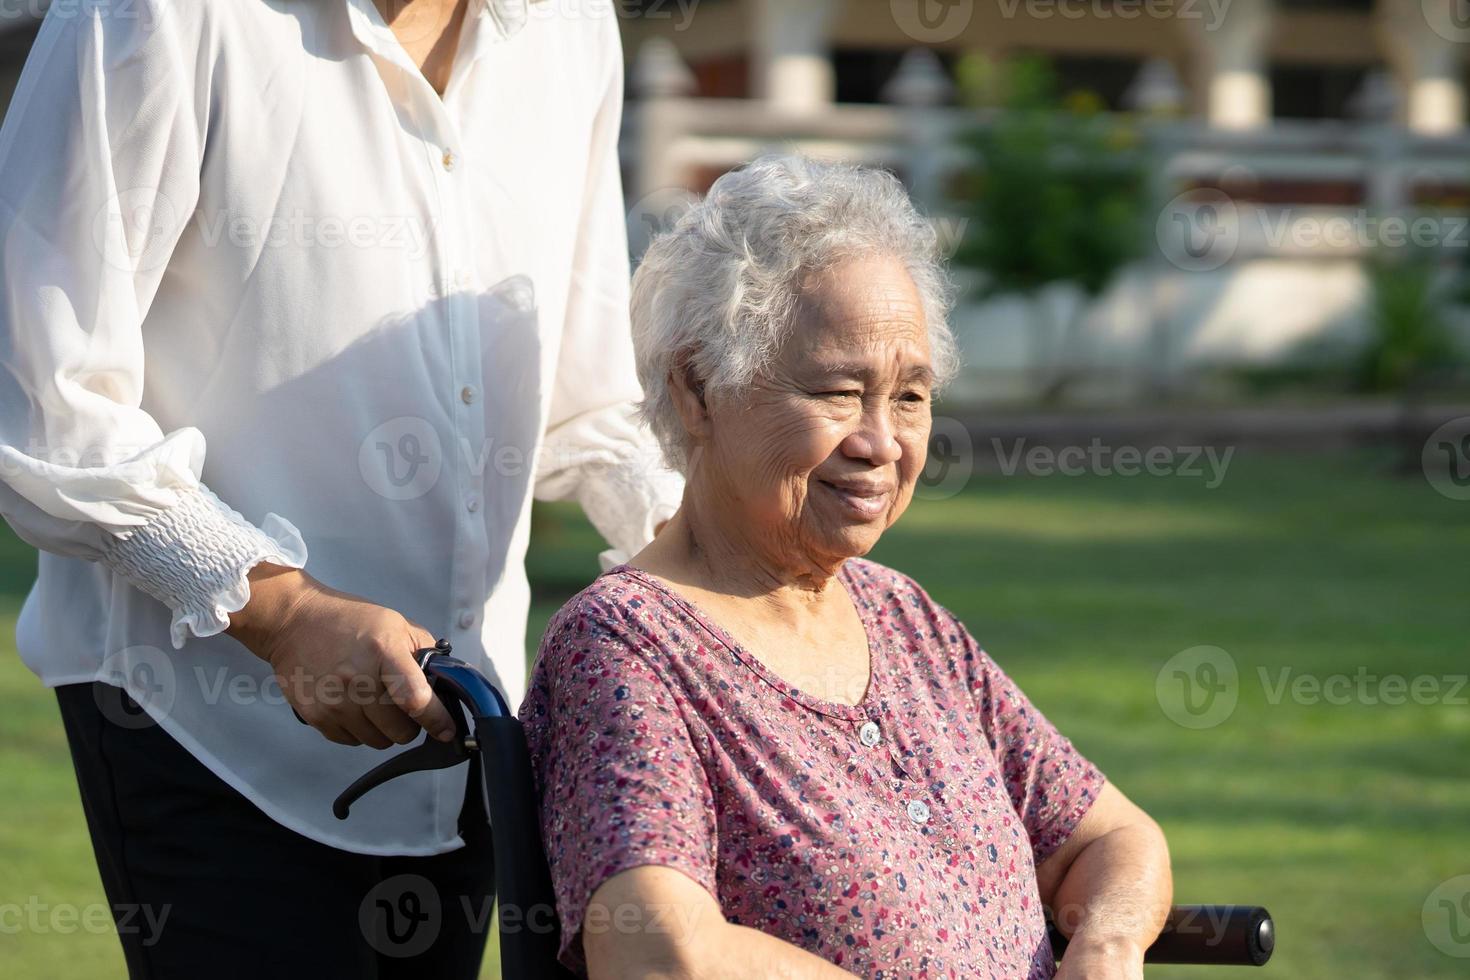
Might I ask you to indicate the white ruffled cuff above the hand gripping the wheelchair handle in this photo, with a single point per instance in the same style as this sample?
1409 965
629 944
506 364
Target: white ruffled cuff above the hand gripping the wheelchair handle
195 559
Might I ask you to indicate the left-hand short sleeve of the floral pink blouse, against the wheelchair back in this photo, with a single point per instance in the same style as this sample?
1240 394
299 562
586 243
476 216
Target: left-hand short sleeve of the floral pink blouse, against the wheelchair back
618 774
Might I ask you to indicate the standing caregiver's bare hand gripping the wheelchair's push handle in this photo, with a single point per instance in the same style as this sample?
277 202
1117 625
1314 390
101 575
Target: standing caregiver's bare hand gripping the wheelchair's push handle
346 665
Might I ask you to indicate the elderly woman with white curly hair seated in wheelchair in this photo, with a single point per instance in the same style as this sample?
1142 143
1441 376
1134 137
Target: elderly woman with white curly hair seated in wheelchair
761 754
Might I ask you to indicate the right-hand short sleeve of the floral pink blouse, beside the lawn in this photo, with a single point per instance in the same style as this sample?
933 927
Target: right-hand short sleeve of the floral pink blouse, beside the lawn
1050 782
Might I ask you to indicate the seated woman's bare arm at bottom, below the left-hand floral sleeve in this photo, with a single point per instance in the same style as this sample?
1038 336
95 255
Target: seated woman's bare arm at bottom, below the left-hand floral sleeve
656 923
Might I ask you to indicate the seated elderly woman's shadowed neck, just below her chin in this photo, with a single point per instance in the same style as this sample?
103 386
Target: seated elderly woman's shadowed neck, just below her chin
703 550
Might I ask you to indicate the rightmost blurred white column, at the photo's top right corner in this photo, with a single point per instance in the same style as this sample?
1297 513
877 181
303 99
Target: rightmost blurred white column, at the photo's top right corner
1425 43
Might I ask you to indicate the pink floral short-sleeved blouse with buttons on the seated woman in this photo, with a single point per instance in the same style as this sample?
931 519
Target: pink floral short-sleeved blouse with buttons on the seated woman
894 838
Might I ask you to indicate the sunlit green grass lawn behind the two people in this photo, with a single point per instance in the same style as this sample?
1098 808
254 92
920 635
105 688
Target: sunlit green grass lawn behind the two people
1340 818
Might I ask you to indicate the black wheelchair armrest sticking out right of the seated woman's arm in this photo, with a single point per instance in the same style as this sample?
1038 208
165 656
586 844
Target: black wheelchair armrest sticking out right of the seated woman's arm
1208 935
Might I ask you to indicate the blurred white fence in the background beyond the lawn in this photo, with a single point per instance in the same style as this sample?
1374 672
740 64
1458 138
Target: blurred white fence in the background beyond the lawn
1249 275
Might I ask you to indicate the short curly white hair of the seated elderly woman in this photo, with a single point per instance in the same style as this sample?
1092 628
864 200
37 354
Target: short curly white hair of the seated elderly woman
718 292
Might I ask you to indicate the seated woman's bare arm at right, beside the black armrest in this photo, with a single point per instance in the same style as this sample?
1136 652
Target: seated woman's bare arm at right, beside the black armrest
1109 888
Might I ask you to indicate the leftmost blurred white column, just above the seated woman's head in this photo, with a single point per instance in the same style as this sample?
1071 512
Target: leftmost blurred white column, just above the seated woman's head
792 65
